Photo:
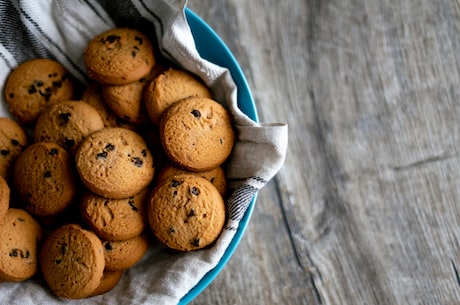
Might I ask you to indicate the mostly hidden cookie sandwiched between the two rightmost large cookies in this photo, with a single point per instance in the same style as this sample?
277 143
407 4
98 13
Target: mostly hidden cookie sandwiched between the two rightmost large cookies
216 176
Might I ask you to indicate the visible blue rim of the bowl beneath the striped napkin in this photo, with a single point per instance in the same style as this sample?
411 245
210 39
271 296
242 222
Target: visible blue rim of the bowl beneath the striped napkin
211 47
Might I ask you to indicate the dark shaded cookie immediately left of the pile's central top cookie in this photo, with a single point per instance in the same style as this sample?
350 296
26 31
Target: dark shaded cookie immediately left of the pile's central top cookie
44 178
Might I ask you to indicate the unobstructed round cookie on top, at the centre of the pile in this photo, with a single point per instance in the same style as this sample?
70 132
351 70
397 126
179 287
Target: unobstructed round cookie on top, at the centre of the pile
115 163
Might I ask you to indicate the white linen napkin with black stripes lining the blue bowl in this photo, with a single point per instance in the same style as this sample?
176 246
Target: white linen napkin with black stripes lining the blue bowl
61 30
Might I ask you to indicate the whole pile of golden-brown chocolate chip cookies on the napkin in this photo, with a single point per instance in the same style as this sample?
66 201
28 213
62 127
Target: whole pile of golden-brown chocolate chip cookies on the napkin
99 175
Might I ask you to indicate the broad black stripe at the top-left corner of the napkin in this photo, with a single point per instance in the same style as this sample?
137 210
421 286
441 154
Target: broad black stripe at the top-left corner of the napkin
16 38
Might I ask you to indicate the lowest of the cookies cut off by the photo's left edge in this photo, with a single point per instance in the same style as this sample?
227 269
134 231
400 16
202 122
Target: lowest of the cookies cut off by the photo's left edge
20 234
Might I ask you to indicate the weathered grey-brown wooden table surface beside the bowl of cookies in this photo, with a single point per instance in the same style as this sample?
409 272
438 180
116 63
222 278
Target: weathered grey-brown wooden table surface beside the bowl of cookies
364 210
